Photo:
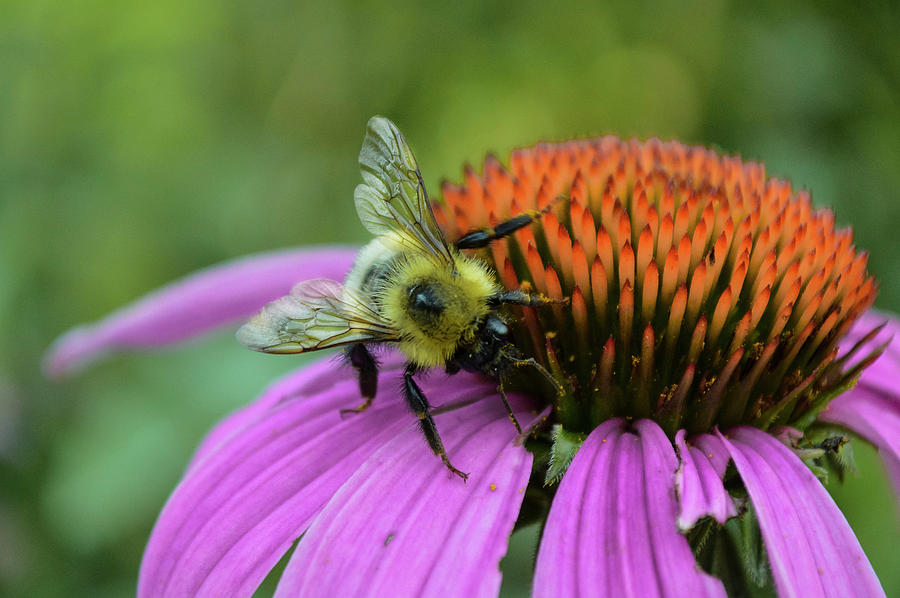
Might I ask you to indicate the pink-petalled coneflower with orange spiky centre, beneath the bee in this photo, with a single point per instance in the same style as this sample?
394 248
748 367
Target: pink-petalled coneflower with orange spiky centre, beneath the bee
714 318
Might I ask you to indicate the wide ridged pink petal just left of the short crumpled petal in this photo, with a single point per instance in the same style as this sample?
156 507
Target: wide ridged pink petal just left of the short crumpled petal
612 527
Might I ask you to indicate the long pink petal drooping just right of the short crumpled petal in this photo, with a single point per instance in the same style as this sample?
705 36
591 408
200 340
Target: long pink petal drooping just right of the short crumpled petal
812 550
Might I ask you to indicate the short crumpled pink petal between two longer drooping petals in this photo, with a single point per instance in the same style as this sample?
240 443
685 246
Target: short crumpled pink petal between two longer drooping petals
699 481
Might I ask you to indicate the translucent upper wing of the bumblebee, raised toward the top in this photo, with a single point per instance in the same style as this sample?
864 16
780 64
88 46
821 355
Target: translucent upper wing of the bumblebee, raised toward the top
392 197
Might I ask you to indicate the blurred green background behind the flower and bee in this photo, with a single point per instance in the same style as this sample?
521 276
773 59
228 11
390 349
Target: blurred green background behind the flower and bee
141 141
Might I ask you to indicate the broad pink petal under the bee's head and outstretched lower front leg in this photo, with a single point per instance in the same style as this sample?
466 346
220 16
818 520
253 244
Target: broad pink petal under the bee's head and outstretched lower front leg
404 526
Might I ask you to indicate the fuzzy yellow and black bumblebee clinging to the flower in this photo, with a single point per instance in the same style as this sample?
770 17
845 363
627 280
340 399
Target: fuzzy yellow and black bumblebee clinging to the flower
408 287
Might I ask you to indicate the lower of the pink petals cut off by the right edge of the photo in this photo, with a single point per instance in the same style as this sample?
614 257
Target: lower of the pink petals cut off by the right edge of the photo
873 416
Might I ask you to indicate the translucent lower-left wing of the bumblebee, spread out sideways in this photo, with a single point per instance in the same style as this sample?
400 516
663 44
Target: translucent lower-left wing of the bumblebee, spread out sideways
316 315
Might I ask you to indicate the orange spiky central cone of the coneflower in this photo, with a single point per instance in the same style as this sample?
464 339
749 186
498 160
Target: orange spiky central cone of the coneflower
702 293
